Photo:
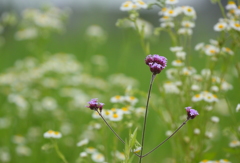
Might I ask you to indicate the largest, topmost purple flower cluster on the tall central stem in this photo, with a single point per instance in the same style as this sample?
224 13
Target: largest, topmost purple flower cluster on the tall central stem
156 63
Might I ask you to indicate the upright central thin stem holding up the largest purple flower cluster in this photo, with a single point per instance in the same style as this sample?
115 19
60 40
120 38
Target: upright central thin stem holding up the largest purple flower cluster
145 118
